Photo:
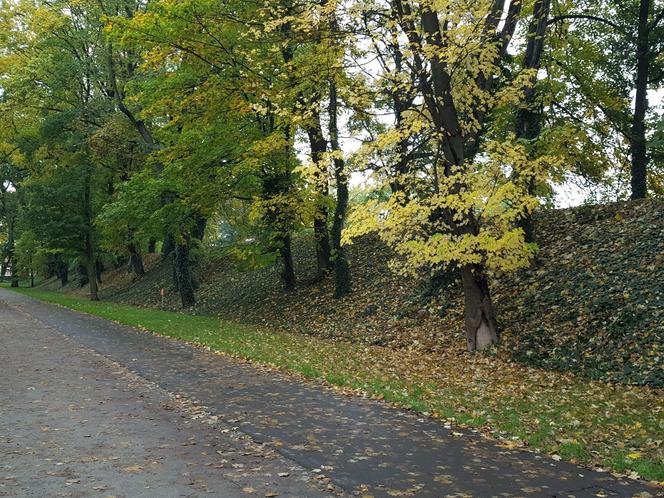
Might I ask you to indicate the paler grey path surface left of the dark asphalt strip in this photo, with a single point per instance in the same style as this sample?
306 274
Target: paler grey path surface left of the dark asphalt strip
74 423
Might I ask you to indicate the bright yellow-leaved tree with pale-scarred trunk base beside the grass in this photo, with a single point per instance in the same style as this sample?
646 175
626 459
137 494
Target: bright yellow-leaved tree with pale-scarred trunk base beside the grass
462 212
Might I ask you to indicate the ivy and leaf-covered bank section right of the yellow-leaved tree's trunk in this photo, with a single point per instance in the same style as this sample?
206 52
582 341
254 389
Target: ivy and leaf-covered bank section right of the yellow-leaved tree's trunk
594 303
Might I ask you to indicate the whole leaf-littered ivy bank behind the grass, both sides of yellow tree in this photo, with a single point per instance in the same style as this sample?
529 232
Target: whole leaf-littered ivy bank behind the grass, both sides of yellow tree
593 303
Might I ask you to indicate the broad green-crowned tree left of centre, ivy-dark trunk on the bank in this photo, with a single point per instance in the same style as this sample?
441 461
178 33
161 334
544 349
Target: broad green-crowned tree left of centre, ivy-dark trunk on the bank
242 53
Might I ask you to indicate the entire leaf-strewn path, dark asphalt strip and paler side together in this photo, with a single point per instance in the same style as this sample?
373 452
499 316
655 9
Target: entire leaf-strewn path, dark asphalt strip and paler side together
326 442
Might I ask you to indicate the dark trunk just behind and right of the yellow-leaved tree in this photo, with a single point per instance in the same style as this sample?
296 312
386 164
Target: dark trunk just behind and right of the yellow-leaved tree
529 118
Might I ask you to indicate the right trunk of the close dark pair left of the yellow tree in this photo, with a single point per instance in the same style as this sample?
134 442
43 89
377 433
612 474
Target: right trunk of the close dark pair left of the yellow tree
341 267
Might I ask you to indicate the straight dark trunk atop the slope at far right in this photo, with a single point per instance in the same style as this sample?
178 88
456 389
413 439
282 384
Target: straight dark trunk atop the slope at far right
639 151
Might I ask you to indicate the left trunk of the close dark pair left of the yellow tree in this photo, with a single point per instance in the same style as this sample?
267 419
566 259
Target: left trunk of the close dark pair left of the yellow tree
318 146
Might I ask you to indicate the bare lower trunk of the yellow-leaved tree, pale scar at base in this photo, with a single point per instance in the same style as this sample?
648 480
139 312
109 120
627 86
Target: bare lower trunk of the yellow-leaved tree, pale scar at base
480 320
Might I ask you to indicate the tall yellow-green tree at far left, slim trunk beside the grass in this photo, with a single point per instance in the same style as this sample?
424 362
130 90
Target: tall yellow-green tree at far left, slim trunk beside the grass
52 75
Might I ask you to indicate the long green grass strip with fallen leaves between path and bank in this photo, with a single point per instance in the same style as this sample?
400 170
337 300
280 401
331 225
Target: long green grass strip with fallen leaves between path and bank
614 426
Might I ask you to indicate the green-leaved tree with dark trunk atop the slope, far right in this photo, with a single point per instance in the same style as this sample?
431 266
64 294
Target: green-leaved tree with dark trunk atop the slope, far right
605 36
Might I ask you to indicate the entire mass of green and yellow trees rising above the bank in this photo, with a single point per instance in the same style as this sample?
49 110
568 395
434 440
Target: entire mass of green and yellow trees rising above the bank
131 126
